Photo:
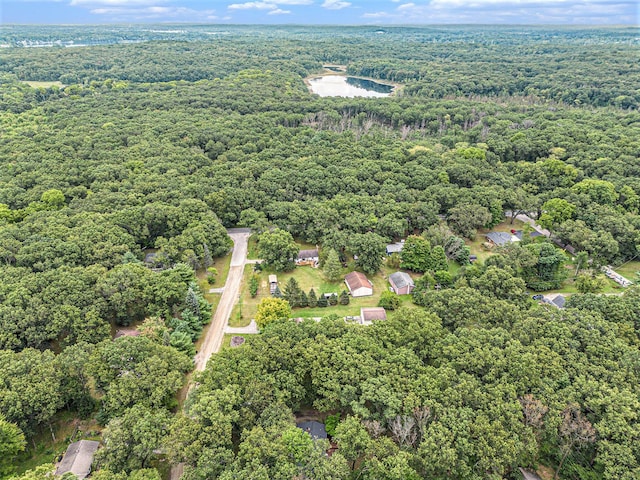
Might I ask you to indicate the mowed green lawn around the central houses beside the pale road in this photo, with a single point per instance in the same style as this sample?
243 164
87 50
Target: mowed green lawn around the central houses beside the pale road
309 277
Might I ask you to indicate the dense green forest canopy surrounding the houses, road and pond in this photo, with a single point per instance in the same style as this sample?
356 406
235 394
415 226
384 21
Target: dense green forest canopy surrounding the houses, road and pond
152 141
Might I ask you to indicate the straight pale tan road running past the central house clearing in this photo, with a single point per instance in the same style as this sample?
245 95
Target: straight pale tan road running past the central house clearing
215 333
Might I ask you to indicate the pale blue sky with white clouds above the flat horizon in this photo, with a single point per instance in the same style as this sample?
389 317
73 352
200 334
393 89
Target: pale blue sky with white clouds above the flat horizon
351 12
